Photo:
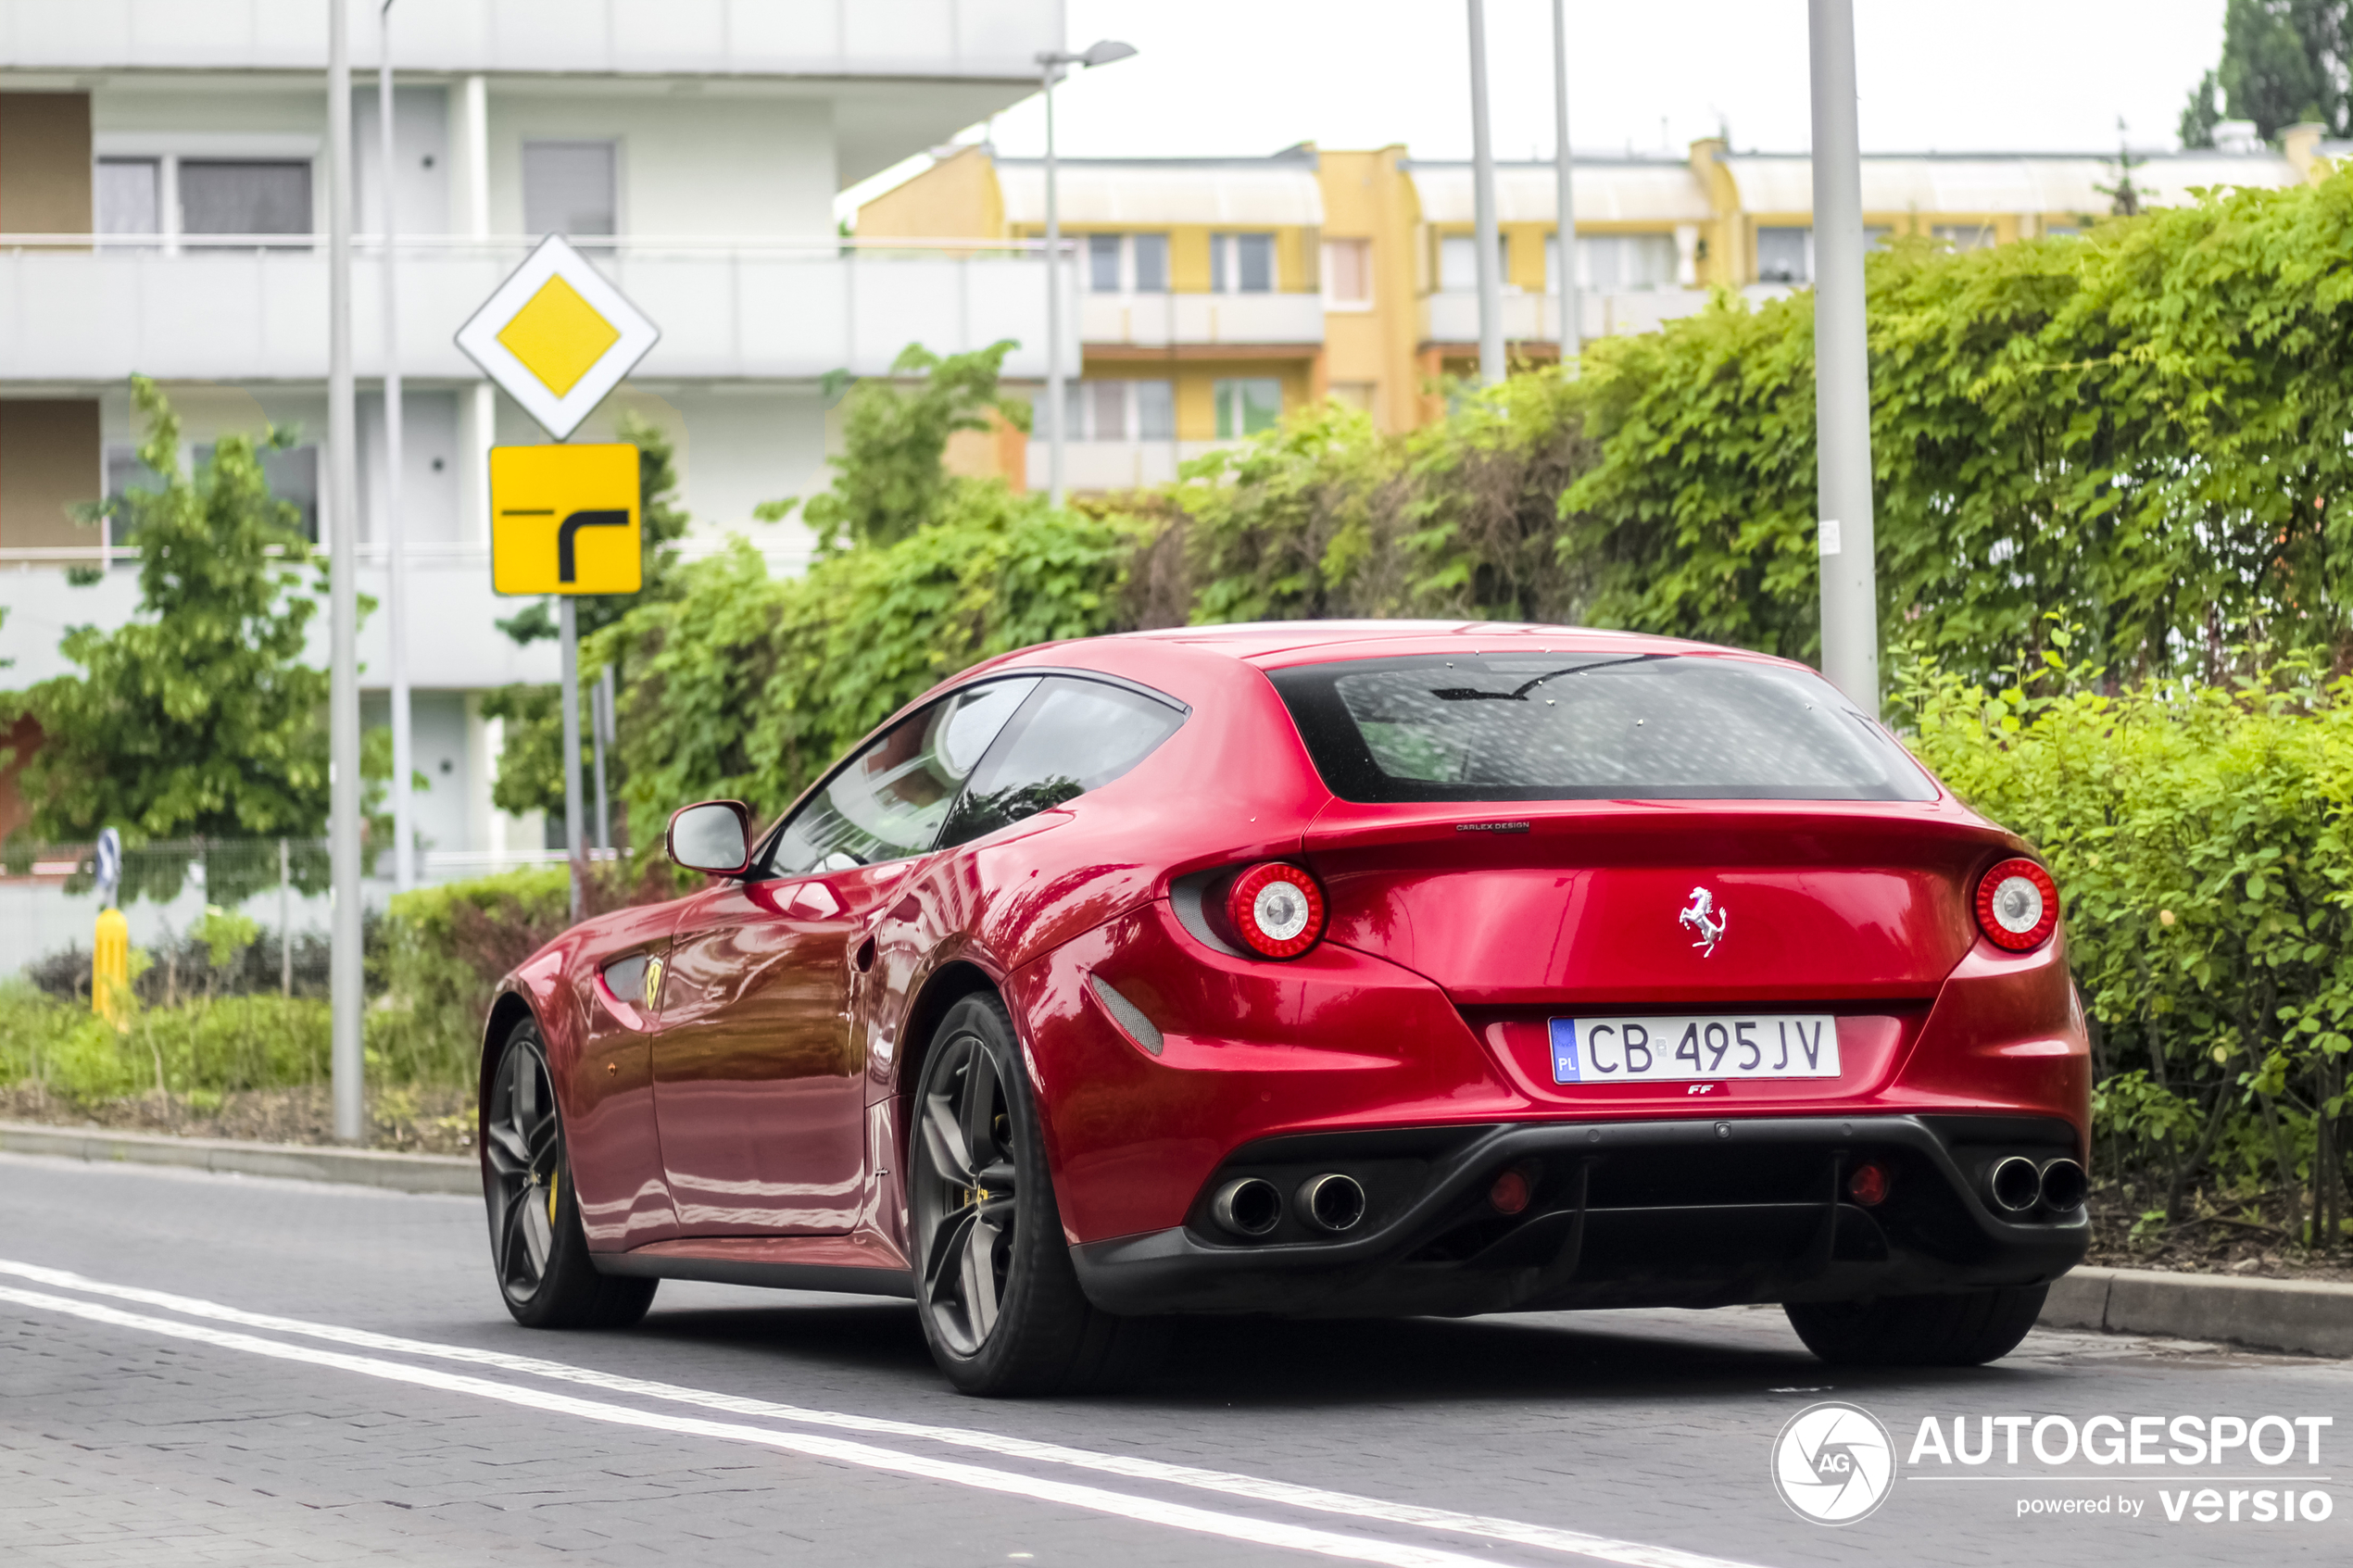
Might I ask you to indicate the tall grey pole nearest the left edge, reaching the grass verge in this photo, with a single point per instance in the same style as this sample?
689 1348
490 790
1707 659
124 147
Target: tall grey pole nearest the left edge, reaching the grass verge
342 605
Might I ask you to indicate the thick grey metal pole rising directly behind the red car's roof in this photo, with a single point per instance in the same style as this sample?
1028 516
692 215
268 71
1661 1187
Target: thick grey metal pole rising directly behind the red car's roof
1851 605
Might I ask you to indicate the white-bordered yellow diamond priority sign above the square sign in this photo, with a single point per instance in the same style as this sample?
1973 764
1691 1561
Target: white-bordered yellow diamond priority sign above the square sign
556 337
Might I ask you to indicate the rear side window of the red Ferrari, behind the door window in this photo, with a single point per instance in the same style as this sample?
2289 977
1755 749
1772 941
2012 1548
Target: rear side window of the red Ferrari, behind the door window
1069 737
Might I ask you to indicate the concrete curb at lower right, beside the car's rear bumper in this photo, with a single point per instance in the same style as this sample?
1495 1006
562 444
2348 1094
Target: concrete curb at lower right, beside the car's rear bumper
2293 1315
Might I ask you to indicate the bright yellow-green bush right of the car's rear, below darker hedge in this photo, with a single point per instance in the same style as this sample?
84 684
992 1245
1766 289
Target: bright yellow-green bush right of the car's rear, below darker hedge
2206 866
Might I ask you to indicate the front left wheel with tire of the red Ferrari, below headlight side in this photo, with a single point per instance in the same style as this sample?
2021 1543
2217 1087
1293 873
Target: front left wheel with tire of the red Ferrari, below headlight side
538 1247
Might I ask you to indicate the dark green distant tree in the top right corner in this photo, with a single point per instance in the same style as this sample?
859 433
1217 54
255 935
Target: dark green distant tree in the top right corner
2284 62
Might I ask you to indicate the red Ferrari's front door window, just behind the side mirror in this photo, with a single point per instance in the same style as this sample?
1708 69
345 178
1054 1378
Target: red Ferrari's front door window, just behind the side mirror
891 798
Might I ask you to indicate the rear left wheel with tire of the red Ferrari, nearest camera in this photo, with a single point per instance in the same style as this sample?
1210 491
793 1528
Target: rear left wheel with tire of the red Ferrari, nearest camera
994 1280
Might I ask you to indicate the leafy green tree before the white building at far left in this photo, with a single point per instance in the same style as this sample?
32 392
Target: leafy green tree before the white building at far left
199 716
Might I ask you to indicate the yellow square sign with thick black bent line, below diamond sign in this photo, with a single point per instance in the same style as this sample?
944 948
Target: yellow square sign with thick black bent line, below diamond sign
564 521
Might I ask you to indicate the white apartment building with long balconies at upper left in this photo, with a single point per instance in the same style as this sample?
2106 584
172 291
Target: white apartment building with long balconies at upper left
164 210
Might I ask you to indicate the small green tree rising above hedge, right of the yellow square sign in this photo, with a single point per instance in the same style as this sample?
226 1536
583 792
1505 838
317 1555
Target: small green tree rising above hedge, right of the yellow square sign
891 476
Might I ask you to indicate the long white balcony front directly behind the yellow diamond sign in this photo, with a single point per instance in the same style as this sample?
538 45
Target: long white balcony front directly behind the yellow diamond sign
255 309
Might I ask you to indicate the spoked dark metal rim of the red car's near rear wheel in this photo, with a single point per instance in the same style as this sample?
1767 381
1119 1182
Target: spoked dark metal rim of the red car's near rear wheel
964 1195
